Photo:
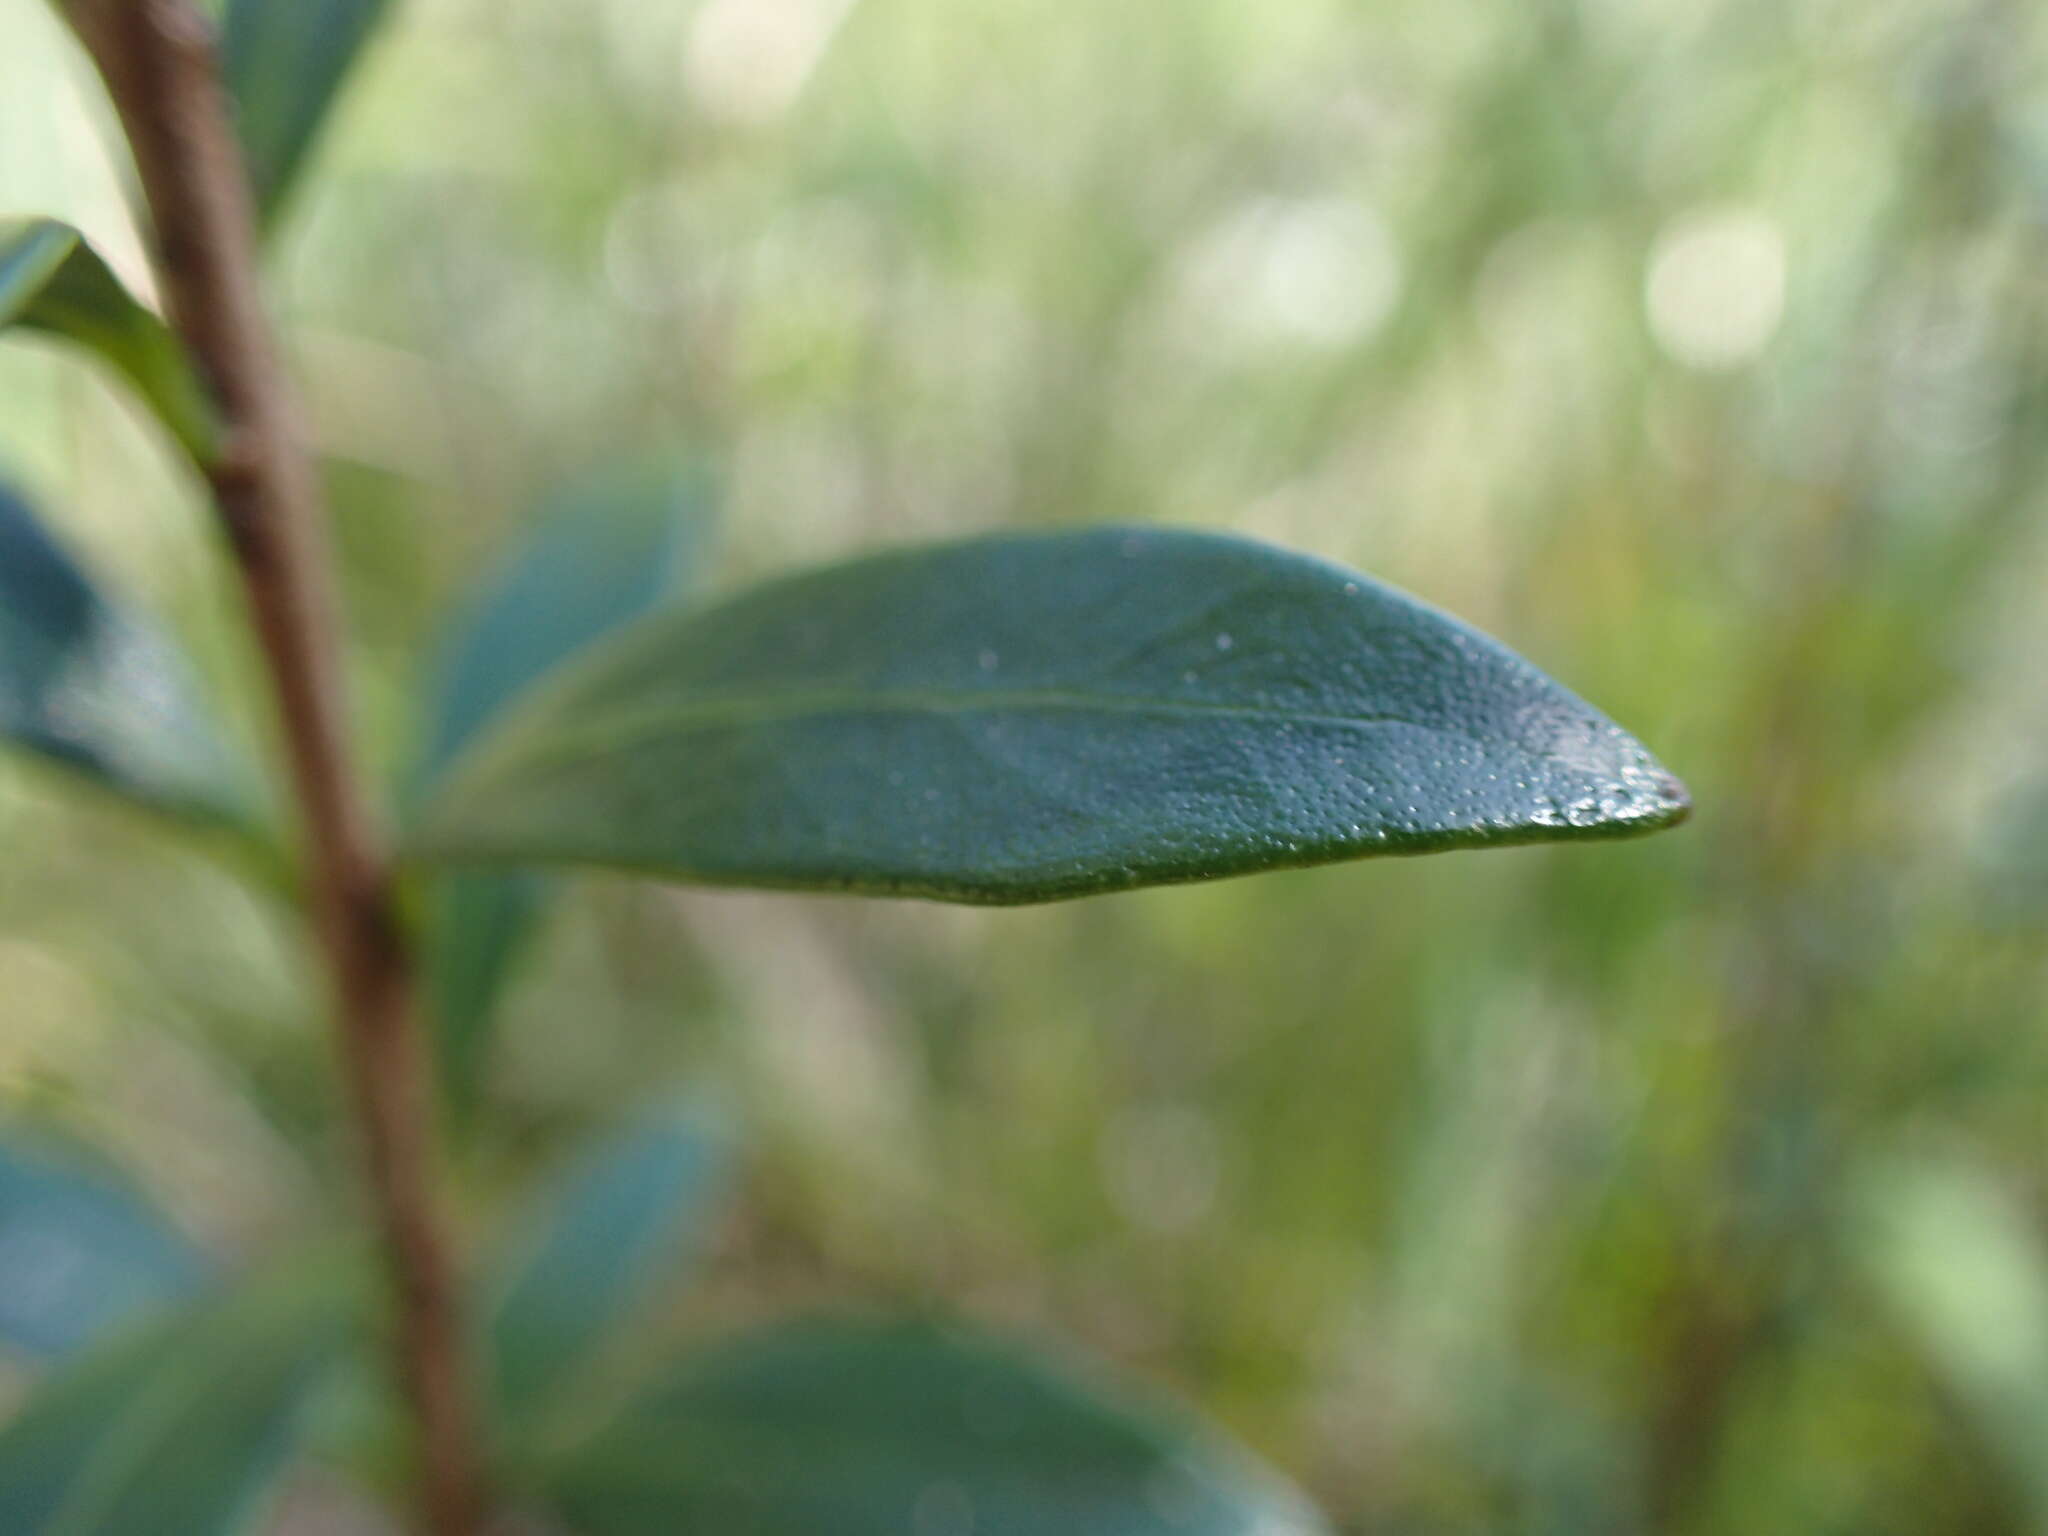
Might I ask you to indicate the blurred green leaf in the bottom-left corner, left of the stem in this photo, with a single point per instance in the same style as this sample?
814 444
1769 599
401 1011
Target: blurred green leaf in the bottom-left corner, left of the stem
175 1431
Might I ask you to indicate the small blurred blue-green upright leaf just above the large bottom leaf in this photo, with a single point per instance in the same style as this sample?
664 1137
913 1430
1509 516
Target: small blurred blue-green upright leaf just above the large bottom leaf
597 1244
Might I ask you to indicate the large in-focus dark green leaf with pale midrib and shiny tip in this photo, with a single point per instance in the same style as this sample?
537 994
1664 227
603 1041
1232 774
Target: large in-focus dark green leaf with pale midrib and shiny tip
1043 716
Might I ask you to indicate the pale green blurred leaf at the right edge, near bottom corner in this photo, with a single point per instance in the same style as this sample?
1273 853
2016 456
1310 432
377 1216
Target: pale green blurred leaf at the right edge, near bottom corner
1965 1269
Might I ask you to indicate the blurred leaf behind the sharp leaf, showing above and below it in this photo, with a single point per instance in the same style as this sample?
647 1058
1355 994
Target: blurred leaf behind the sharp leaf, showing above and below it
605 554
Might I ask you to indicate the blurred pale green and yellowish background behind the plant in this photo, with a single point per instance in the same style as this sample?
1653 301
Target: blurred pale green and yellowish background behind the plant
1699 349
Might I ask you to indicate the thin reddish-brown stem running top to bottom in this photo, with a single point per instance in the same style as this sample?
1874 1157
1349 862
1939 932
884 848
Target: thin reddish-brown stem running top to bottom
161 71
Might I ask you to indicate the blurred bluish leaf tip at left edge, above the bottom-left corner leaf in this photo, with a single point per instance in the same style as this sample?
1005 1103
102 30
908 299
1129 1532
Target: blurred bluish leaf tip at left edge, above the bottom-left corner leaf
79 1254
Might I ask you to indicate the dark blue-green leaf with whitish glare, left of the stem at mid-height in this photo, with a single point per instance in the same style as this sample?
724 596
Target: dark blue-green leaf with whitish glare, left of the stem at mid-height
93 689
